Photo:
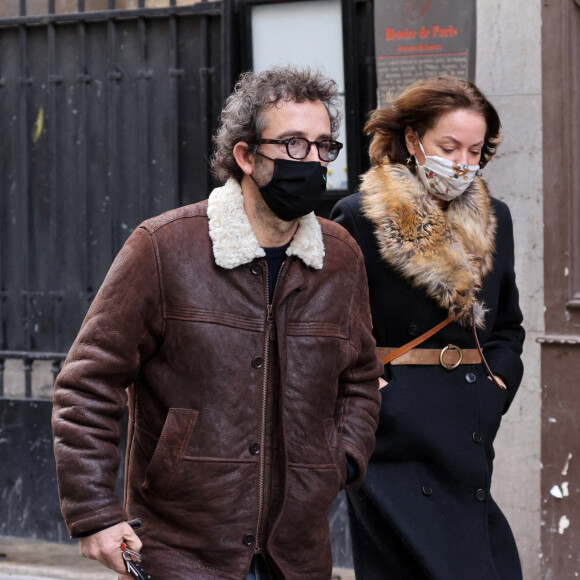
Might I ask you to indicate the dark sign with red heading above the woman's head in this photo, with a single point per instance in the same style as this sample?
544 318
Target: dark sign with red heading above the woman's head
418 39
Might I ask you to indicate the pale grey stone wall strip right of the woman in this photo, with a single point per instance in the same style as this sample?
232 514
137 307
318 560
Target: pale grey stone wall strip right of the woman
509 72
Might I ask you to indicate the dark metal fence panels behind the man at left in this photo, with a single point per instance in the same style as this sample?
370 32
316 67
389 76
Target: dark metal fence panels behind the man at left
106 118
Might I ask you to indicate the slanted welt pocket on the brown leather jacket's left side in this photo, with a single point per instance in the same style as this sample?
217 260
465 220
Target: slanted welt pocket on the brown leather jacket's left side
169 450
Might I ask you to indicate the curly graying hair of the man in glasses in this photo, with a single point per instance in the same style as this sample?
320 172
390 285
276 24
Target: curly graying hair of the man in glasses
241 118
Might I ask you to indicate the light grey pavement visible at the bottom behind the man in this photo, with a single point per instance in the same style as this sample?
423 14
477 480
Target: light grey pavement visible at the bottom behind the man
22 557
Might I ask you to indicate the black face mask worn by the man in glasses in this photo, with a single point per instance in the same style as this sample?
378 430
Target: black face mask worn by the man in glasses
296 188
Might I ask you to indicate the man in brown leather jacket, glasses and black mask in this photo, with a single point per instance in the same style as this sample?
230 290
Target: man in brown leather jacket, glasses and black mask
240 327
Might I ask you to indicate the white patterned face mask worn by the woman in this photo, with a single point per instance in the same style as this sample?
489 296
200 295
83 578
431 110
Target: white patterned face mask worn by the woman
442 177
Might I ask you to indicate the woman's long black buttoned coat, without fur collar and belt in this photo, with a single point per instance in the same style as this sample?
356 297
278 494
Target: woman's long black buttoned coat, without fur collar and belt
425 510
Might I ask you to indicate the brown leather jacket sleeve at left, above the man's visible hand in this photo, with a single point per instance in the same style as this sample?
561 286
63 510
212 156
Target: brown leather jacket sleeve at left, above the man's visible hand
121 330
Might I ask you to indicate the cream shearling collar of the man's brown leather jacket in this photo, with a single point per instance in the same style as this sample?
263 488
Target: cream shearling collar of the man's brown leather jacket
233 239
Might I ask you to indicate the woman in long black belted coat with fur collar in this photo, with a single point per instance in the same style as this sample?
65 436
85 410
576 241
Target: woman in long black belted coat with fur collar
440 264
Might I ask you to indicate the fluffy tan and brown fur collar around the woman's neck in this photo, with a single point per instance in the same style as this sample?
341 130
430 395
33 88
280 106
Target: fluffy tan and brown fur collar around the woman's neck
447 253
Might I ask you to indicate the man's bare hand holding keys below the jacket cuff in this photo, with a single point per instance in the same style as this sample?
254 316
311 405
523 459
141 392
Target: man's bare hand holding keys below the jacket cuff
105 546
